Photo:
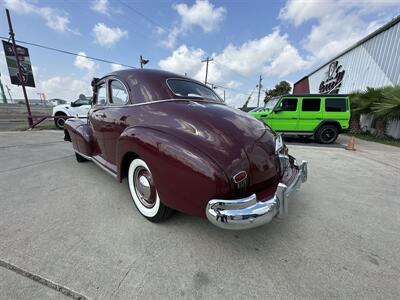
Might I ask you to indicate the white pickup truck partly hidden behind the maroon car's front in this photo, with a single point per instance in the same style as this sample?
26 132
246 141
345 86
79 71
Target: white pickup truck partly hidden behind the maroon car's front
78 108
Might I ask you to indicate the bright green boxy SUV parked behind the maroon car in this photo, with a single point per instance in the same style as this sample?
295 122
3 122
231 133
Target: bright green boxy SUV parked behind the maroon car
321 116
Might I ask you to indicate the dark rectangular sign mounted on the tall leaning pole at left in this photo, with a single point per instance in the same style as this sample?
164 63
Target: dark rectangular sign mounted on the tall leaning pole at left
24 75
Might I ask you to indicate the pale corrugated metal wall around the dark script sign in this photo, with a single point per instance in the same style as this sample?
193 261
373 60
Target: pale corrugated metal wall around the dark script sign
375 63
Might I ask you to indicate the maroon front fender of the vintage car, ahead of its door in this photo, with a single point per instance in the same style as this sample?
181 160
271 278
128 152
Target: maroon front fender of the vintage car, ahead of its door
81 135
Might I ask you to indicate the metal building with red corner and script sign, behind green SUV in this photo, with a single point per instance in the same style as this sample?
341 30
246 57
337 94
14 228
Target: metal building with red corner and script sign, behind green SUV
372 62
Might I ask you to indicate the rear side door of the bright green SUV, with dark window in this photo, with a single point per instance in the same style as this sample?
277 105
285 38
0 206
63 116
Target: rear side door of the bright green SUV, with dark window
310 114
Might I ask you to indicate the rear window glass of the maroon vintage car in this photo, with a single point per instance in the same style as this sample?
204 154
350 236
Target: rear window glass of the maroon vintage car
191 89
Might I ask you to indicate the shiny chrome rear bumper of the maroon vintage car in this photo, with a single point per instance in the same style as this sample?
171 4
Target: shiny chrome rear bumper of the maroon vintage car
247 212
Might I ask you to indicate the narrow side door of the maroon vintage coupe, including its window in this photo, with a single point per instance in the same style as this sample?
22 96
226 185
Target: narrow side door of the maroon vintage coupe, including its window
96 118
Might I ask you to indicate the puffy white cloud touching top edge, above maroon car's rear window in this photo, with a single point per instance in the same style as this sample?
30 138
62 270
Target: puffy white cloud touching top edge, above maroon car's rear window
203 14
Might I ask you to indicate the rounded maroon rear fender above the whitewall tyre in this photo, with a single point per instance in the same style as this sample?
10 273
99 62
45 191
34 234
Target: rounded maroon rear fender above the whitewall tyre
186 179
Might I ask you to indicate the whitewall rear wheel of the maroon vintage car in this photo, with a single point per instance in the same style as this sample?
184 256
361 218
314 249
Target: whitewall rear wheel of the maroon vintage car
144 192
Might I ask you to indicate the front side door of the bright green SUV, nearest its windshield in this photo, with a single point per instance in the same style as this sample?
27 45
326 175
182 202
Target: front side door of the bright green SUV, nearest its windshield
285 116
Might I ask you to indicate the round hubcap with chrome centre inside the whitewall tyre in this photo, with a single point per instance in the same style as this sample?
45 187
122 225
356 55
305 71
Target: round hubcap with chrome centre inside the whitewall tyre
144 187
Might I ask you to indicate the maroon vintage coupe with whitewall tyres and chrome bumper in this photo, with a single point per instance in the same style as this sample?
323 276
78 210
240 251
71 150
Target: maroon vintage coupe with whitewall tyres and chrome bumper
181 148
